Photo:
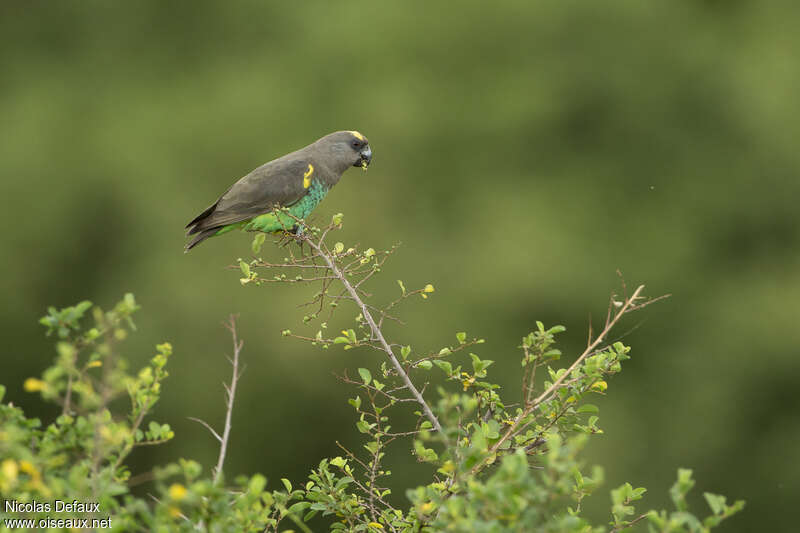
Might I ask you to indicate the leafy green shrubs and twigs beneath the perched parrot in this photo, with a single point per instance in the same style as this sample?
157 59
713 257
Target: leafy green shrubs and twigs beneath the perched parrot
499 461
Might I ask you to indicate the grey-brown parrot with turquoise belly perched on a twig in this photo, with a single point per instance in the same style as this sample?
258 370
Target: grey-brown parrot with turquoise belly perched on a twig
297 181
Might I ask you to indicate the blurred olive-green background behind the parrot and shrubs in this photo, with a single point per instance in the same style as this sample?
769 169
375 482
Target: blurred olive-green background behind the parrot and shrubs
524 151
